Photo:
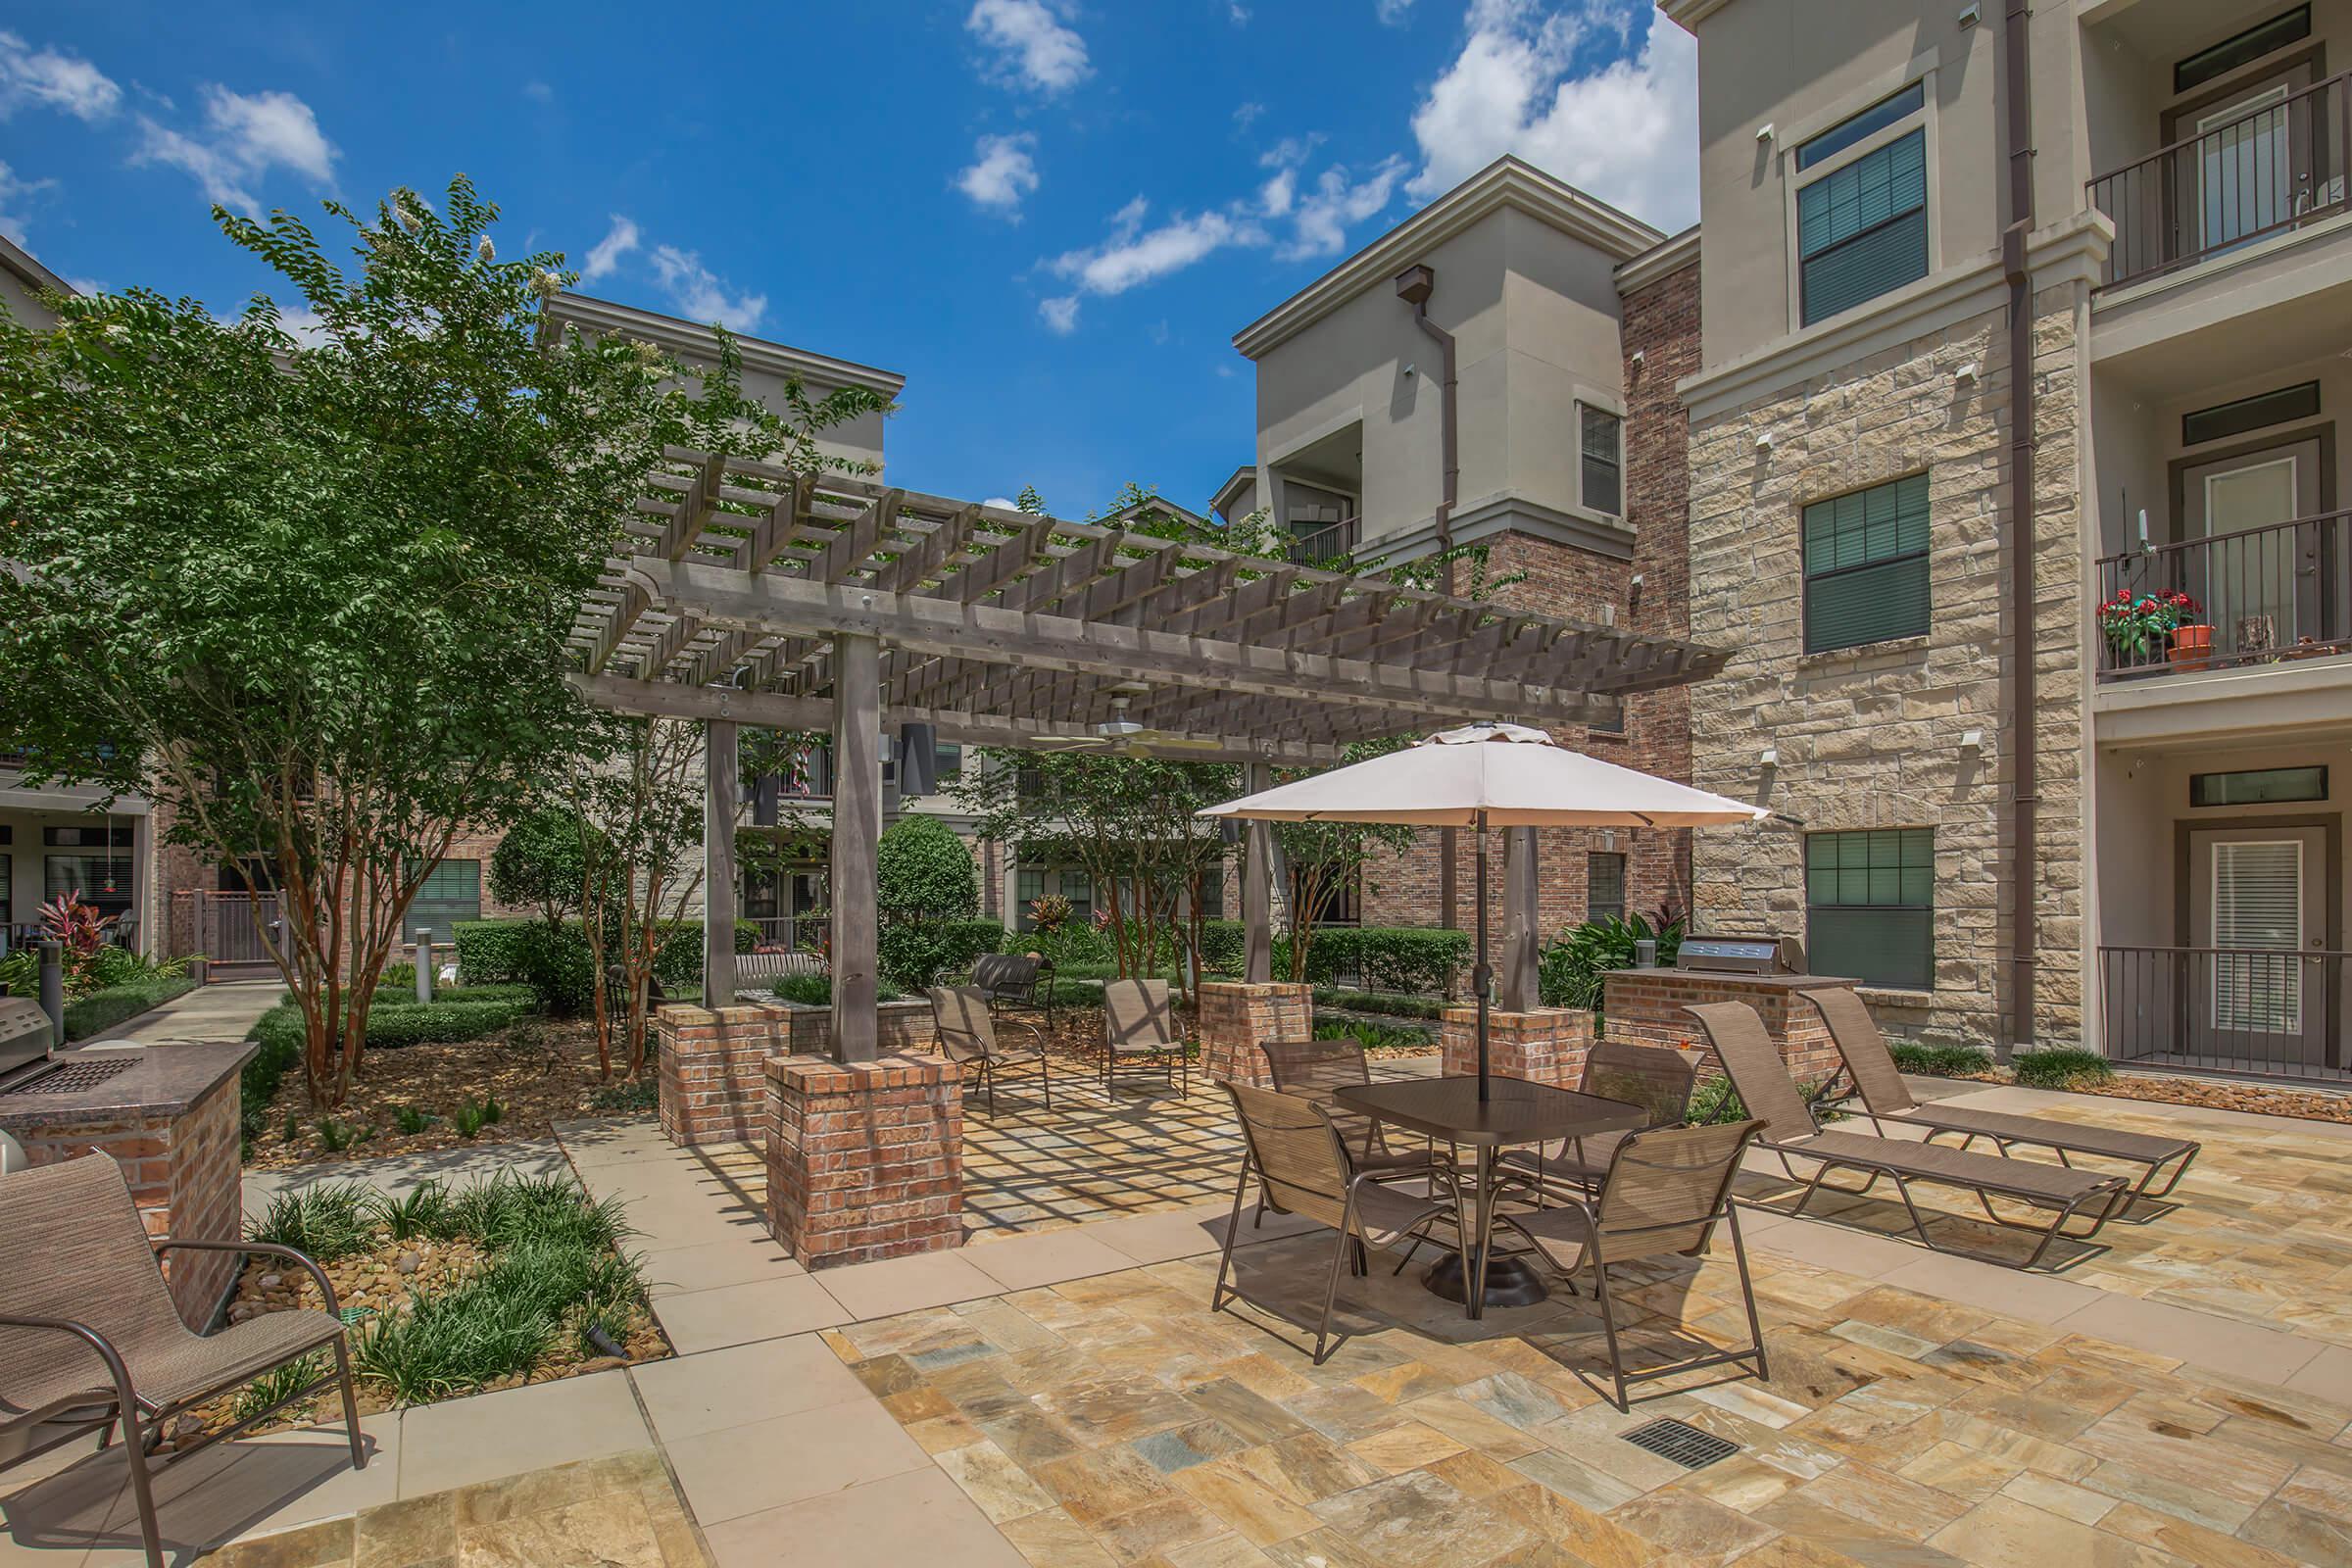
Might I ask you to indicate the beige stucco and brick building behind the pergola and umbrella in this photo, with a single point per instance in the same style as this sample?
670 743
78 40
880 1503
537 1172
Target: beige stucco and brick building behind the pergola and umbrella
1565 328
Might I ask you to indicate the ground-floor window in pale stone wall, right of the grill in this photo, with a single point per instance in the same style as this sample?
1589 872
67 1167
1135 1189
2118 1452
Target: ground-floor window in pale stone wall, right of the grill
1871 906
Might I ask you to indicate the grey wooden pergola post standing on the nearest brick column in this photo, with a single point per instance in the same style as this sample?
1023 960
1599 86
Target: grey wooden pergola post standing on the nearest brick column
857 829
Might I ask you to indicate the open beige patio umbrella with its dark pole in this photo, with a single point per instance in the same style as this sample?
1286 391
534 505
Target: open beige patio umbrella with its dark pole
1490 777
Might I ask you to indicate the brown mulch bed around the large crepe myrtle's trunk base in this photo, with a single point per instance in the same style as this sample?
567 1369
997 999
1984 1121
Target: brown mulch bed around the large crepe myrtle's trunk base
540 1073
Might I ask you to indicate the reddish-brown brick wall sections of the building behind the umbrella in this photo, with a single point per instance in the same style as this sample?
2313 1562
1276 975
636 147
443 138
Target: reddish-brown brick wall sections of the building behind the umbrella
1662 326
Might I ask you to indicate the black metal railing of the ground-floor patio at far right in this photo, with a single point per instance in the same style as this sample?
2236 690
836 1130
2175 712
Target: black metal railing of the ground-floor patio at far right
2269 1012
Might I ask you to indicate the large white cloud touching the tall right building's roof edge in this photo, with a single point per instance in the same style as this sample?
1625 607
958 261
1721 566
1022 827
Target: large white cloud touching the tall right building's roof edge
1624 133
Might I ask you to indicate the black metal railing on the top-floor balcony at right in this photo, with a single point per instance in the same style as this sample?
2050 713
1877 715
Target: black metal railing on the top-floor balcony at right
2276 168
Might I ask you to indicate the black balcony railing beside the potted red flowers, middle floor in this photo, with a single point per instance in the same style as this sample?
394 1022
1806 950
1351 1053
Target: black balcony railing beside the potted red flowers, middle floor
2273 594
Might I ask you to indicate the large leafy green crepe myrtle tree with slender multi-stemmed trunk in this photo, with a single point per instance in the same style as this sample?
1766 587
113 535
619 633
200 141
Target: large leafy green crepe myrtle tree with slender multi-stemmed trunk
312 594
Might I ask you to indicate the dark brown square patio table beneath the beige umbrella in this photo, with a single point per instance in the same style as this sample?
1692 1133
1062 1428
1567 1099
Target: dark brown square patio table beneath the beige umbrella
1514 1113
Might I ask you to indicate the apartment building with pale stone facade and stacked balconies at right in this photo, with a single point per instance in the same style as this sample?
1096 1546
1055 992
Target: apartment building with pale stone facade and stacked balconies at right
2014 817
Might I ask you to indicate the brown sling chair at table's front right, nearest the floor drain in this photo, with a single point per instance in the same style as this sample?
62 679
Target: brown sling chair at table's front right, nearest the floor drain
1664 1193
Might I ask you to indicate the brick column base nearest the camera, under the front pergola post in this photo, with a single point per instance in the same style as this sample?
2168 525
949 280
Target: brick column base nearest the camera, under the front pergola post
864 1160
